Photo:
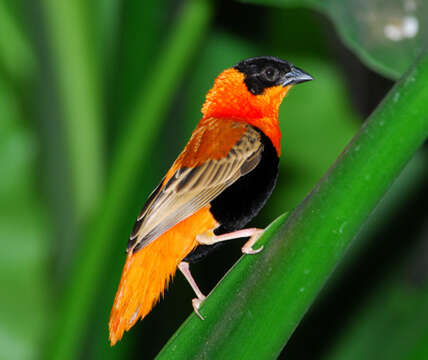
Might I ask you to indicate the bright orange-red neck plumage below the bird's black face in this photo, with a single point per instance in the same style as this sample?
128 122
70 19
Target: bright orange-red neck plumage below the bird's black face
229 98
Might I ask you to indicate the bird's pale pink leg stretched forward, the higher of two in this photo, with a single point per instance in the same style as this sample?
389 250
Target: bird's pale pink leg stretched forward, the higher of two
253 233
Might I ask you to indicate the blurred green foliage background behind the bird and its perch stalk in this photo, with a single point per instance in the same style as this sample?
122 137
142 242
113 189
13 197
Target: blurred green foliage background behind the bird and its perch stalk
97 99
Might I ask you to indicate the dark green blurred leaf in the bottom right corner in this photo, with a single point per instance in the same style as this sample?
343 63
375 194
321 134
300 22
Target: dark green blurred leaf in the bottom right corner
393 324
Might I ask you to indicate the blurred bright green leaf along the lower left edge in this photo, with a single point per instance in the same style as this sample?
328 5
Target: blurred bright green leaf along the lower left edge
24 236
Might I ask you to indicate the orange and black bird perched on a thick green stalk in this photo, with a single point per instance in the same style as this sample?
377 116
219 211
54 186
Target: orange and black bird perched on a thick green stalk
219 182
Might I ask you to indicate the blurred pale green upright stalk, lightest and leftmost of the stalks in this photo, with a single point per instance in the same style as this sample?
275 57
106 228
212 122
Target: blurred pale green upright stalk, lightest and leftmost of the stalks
74 59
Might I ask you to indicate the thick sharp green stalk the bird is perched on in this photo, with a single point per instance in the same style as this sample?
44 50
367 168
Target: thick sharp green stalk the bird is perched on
254 310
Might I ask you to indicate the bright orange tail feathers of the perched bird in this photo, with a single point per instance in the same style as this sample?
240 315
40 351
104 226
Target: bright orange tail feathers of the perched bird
146 274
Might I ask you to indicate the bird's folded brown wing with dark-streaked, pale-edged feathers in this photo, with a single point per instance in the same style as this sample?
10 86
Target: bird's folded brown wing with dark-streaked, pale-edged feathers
191 188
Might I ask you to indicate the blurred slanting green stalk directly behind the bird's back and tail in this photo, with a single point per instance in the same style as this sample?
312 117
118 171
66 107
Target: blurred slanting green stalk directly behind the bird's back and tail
132 154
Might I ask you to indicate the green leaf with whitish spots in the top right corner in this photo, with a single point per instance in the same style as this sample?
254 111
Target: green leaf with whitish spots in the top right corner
387 35
